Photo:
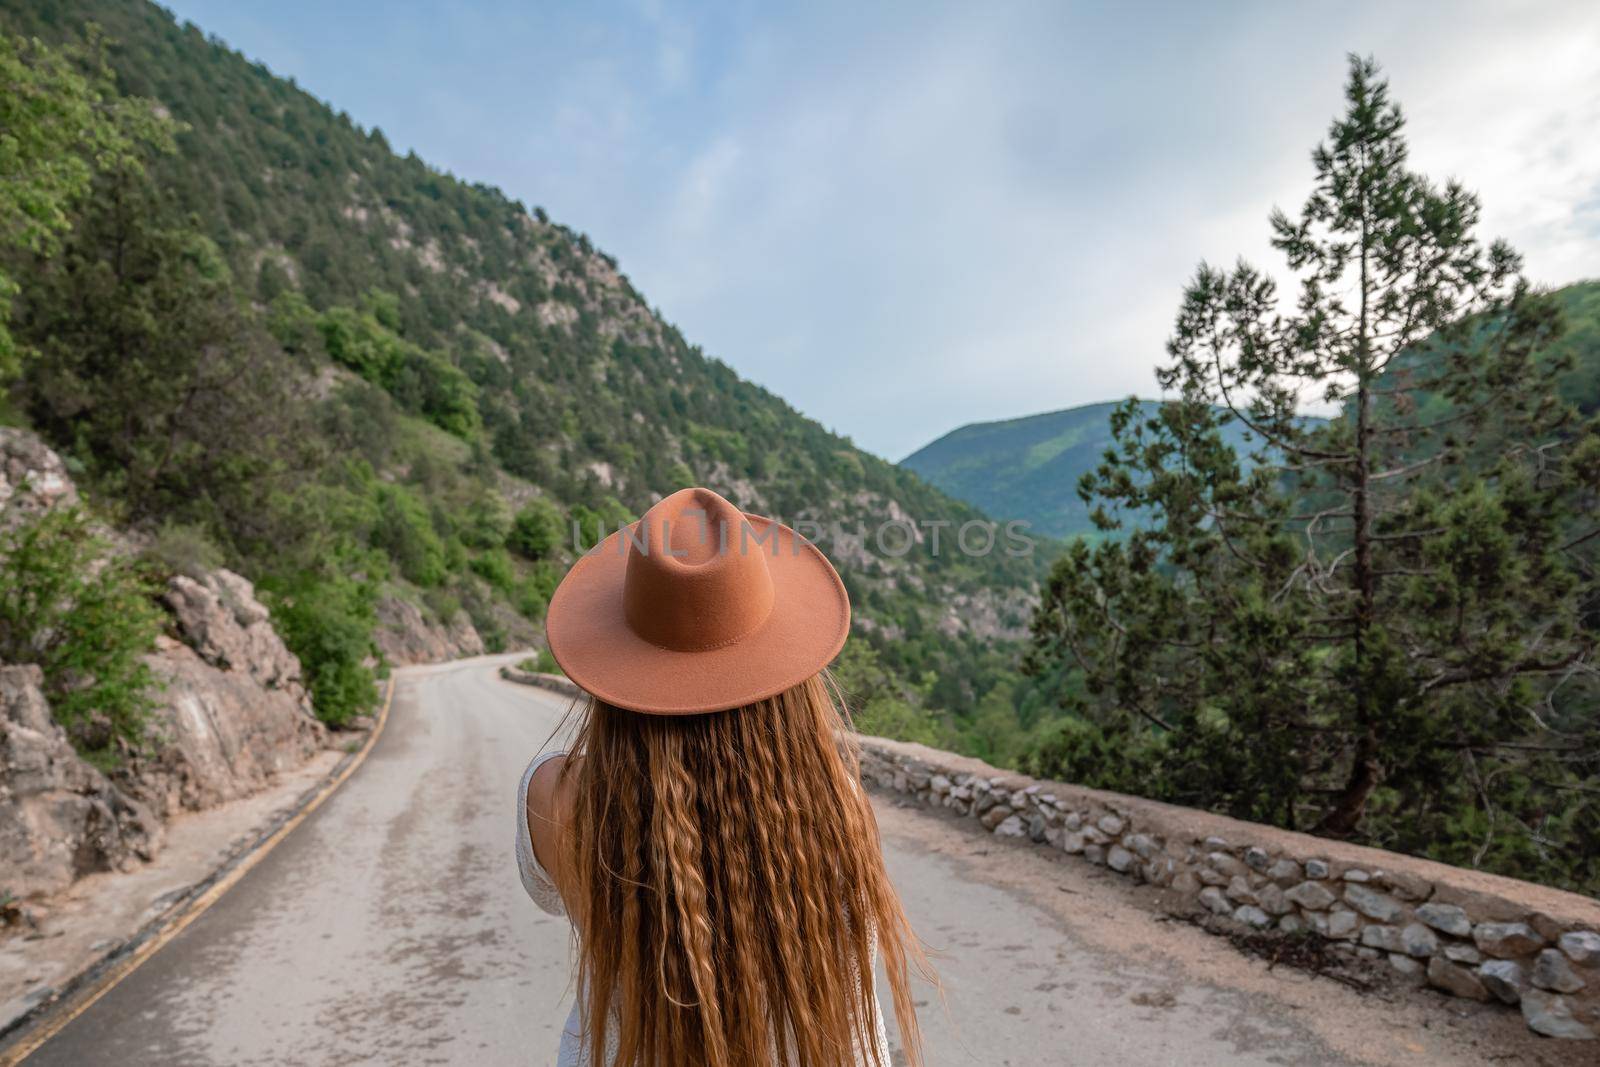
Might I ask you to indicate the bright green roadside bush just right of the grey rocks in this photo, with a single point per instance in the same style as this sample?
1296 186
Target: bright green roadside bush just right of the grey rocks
329 623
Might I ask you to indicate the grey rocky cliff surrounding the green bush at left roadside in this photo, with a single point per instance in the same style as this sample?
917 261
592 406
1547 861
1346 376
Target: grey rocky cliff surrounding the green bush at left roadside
231 716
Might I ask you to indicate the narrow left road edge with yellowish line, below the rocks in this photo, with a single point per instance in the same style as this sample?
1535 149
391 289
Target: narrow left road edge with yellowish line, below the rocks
31 1031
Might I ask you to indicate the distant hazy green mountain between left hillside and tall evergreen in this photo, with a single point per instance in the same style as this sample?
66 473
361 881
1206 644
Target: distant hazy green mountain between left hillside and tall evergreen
1030 468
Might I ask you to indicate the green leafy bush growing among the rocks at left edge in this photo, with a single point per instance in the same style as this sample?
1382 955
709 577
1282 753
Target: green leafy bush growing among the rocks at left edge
87 618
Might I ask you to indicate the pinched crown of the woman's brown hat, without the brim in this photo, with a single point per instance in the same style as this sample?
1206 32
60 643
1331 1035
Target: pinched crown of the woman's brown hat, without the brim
697 573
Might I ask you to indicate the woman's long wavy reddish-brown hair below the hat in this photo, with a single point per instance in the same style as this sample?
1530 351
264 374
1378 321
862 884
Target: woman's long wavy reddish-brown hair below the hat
730 890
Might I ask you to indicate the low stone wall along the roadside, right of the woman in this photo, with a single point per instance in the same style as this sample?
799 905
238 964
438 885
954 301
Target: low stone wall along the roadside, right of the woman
1489 940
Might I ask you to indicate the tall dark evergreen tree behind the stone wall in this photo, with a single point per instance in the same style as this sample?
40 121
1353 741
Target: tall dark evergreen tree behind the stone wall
1382 625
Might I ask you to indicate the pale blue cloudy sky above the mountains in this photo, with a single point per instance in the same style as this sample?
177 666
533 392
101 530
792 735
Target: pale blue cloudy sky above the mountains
910 217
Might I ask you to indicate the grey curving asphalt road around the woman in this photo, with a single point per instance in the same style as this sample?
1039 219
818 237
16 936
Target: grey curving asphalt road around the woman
391 929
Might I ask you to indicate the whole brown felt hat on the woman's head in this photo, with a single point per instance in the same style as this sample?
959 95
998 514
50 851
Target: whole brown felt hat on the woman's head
698 607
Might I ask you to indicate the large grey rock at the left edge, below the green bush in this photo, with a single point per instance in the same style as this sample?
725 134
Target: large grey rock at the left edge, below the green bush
60 818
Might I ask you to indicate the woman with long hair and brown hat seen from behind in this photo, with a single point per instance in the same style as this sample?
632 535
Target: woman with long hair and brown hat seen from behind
708 834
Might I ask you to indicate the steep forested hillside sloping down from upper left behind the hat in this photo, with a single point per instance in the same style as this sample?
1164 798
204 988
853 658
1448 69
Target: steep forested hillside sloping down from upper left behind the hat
369 385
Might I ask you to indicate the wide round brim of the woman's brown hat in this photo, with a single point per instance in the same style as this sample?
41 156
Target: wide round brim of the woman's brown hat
591 641
